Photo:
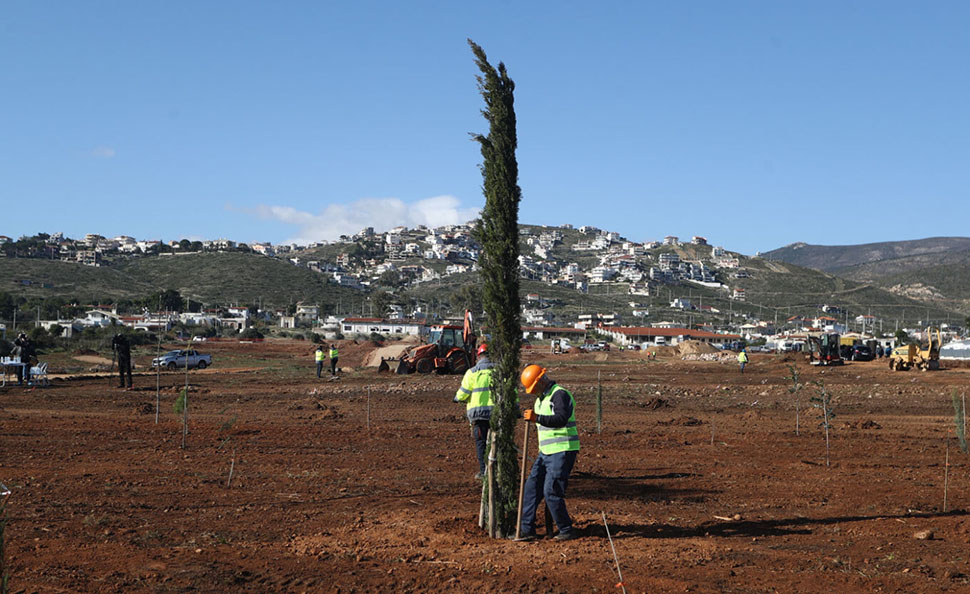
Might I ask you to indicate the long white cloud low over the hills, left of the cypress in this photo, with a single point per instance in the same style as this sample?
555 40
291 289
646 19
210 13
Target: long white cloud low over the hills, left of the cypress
380 213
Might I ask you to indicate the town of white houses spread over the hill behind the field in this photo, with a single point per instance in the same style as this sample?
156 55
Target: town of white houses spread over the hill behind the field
634 294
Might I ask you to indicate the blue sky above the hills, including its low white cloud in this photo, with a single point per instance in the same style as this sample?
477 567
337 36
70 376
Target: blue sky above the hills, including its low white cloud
755 124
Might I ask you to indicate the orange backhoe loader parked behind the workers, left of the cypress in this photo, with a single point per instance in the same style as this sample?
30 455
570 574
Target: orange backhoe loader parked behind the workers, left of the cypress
450 349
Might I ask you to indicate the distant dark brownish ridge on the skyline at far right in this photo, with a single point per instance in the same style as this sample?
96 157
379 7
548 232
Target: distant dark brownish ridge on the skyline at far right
833 258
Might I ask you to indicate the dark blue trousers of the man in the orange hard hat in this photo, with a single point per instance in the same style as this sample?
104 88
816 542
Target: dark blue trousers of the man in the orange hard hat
550 472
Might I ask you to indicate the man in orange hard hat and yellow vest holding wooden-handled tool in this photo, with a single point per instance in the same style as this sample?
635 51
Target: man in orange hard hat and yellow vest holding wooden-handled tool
554 414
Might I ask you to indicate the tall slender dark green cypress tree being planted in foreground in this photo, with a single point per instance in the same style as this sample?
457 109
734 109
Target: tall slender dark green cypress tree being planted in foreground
499 263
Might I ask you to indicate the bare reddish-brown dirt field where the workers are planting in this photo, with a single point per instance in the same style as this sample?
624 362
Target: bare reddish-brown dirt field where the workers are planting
703 480
